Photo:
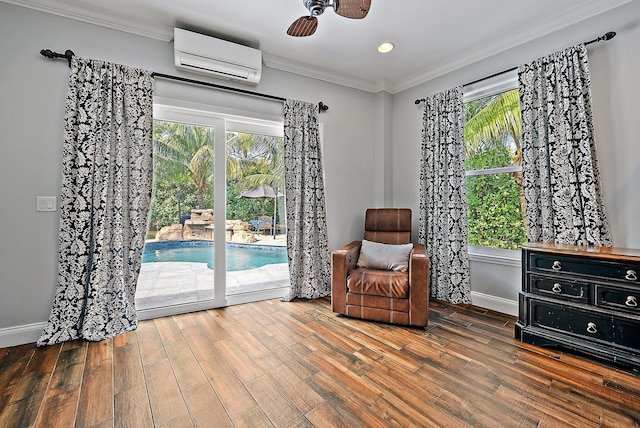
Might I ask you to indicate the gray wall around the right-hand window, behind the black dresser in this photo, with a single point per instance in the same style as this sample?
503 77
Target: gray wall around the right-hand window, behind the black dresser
615 90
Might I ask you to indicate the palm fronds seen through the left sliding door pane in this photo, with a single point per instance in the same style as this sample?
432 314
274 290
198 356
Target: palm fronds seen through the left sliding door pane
187 149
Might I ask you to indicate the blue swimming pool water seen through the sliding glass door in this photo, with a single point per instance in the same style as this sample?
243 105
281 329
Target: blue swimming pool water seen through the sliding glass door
239 257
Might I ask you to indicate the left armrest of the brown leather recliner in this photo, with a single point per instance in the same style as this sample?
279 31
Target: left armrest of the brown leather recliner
343 261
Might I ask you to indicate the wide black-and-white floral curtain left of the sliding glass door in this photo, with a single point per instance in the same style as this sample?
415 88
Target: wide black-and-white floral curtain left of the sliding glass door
106 192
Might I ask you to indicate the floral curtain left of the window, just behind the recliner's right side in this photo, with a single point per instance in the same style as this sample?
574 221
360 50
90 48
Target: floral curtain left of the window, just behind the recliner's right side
443 197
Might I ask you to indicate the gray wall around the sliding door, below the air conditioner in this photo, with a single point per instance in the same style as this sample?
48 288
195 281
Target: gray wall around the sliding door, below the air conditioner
33 90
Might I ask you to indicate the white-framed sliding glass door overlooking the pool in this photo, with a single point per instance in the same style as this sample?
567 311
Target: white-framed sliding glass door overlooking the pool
213 240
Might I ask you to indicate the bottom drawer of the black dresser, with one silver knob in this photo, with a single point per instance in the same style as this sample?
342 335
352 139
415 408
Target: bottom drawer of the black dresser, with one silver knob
567 319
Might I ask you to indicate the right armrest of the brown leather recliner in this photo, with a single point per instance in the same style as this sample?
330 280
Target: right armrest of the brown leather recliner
418 286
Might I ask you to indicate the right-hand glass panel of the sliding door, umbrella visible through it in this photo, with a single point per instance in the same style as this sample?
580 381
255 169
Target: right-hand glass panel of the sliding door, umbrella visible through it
256 228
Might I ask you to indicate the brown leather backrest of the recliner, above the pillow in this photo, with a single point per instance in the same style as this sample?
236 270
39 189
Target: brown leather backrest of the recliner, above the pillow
388 225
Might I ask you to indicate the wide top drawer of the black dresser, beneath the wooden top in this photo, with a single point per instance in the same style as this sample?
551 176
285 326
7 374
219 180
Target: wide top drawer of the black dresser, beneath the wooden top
559 263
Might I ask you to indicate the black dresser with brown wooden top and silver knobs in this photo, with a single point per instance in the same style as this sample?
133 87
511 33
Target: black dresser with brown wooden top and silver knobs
585 299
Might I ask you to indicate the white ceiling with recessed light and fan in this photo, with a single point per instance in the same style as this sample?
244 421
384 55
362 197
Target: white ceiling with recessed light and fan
431 37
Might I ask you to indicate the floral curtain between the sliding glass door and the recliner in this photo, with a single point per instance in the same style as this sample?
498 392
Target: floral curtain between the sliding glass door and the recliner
307 244
